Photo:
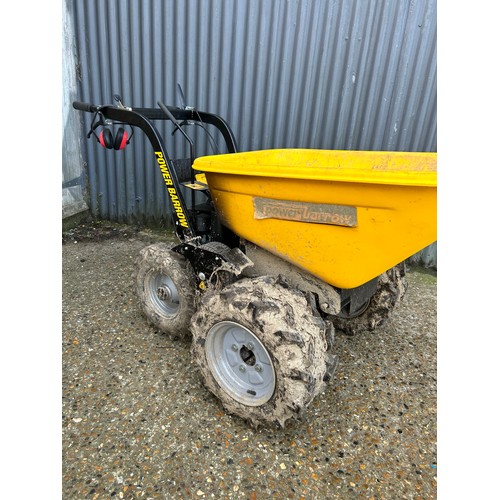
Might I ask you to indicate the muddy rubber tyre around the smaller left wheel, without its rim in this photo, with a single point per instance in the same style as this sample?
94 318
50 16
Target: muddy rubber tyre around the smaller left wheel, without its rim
158 258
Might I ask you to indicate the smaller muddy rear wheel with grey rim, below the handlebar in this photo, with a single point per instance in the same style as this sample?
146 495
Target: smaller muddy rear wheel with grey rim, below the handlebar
166 288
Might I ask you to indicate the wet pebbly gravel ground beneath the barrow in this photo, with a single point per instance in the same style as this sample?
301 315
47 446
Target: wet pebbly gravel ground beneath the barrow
137 422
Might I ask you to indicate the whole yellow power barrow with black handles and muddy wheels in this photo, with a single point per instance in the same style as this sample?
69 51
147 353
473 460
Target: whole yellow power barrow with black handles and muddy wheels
277 250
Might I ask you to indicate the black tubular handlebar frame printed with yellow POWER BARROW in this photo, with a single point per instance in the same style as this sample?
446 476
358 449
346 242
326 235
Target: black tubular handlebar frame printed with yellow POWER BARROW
184 223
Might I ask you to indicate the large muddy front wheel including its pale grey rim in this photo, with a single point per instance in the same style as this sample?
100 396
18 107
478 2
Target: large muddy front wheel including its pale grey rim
261 350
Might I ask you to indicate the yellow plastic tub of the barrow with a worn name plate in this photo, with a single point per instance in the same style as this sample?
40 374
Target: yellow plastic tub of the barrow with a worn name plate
389 197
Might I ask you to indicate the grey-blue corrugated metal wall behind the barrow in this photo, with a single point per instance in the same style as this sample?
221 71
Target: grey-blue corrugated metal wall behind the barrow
347 74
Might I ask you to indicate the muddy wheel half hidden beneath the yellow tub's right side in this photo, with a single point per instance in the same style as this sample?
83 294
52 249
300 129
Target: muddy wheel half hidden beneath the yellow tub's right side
391 288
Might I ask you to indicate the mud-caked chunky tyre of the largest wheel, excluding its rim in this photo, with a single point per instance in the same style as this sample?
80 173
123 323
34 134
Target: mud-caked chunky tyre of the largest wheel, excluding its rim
294 337
